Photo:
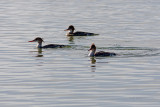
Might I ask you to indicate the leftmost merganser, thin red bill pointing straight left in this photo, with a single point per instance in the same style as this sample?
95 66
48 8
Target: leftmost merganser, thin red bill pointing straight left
40 40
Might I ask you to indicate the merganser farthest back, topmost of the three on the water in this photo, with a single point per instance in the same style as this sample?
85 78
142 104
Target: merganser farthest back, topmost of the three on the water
78 33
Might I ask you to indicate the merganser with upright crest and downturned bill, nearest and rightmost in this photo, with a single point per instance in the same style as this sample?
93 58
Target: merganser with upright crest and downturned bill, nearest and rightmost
93 52
